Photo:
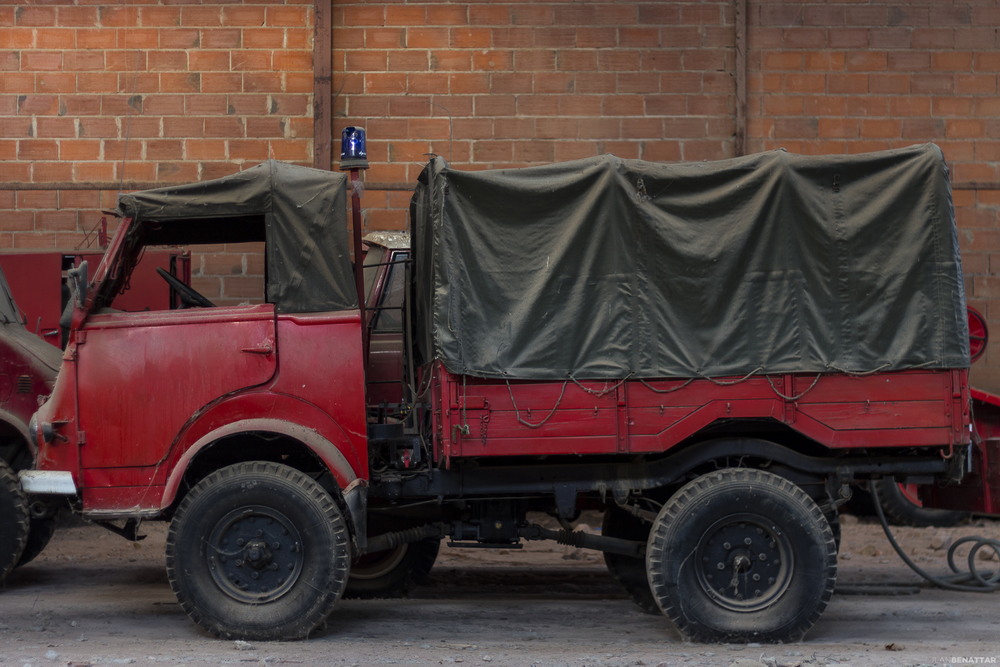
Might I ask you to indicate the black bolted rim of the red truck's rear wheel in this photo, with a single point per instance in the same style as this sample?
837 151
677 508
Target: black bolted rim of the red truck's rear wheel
744 563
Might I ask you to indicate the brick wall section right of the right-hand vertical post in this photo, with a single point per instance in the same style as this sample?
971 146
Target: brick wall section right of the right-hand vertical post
840 77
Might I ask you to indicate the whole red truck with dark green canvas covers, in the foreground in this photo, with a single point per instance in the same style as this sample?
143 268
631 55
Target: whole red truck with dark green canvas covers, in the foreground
711 353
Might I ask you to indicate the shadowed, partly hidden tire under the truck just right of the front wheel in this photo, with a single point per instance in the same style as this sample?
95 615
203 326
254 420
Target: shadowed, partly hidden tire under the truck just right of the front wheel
392 573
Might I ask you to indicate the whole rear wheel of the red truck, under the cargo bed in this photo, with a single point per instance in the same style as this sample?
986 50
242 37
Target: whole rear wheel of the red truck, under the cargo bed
717 588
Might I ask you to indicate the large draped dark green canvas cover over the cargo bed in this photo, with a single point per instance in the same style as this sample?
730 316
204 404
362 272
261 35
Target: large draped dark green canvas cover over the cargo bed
606 268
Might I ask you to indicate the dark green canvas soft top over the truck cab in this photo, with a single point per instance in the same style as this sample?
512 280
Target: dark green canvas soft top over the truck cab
301 213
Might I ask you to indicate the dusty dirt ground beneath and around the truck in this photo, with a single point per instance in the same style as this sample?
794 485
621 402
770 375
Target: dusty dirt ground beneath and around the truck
94 599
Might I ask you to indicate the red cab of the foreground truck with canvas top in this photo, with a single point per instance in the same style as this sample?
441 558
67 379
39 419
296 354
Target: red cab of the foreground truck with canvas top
144 405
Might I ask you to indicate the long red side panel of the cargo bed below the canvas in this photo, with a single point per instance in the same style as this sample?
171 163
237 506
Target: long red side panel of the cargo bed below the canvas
490 418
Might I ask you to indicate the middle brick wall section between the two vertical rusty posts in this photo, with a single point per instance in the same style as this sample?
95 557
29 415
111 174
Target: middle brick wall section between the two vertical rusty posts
498 83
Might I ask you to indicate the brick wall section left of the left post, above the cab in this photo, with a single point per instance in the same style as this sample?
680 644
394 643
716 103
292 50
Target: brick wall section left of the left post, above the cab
150 93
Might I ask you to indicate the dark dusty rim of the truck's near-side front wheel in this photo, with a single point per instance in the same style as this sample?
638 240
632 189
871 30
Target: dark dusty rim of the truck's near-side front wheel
255 554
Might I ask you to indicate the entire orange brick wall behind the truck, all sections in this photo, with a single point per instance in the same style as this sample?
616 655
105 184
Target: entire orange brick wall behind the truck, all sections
173 90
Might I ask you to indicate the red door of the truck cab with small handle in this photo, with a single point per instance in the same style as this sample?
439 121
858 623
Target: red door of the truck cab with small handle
142 376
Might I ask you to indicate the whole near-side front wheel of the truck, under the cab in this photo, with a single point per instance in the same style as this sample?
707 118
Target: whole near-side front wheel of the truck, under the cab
258 551
